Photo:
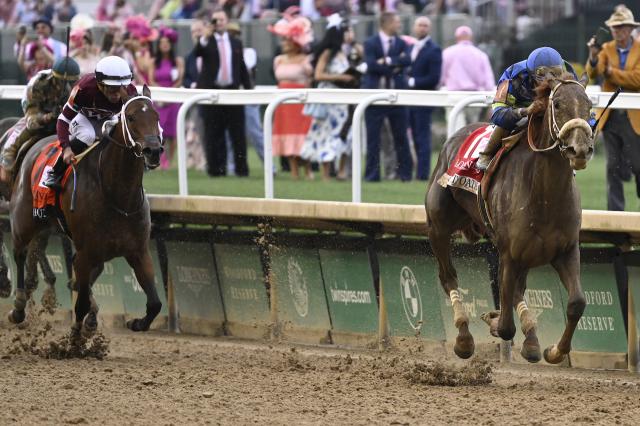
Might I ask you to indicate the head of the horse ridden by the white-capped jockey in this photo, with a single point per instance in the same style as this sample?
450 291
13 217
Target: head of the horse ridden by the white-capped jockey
141 129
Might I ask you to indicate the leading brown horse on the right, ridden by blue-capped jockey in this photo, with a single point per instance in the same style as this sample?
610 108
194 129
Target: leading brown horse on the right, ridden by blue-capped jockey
534 206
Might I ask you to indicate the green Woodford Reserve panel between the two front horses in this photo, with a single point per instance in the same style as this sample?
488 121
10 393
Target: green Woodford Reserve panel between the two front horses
242 284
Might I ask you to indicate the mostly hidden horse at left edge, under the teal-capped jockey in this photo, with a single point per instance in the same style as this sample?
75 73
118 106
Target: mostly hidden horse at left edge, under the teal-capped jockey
37 251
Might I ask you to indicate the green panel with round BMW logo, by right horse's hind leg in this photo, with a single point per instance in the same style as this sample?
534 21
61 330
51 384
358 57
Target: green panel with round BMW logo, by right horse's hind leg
412 295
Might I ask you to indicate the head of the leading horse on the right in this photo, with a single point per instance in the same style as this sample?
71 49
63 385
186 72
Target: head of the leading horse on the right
567 112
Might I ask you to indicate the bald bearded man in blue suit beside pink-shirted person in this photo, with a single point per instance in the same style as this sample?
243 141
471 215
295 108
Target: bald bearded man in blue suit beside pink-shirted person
424 74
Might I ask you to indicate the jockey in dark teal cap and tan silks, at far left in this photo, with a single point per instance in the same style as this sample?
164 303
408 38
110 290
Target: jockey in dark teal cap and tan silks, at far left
46 92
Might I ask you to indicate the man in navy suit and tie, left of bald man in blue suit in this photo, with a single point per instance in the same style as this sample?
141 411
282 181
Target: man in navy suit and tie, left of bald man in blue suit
387 57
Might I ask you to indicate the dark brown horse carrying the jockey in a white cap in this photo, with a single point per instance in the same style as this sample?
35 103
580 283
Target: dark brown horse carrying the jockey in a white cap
111 217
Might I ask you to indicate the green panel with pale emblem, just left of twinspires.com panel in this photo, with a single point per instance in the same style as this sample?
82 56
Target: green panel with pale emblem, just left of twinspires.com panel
299 289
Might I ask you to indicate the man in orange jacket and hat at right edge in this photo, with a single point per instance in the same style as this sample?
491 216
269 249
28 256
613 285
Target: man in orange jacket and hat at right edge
617 62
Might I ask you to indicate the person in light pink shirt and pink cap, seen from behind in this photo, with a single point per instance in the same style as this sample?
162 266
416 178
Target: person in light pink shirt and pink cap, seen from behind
467 68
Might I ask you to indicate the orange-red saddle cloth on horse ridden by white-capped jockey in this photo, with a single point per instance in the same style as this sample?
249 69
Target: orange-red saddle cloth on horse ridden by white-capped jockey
44 198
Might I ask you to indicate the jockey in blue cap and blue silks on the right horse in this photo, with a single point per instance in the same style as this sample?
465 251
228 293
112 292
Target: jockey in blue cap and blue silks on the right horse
515 94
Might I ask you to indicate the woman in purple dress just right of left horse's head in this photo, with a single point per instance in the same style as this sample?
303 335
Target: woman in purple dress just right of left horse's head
167 70
